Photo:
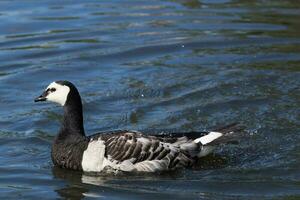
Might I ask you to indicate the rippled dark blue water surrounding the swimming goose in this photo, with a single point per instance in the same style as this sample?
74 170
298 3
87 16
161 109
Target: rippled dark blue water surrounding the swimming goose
181 64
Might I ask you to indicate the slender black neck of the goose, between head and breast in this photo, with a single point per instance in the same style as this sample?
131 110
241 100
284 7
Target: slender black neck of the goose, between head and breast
72 124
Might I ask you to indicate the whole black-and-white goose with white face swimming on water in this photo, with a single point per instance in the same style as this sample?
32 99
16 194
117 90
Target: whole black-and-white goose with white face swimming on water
123 150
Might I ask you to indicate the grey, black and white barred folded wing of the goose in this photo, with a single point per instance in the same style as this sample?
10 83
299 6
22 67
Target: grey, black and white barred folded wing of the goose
144 153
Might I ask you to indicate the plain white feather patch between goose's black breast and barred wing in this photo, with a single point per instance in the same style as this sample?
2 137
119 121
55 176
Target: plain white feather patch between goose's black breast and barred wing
93 157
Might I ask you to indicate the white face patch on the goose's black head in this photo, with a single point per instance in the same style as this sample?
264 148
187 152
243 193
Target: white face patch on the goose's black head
59 95
